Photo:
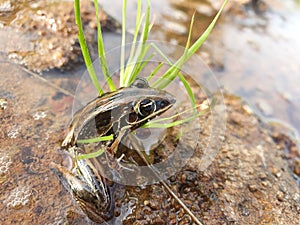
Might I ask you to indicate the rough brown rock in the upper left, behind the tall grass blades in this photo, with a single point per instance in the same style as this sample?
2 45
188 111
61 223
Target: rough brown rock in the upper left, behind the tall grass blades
42 35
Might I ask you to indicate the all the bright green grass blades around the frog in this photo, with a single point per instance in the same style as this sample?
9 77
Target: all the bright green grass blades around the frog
138 59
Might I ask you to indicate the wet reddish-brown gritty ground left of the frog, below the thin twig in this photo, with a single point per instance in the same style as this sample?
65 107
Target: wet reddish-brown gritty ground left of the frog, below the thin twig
29 193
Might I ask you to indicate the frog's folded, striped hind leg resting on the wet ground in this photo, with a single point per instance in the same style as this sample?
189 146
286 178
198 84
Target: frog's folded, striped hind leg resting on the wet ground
96 204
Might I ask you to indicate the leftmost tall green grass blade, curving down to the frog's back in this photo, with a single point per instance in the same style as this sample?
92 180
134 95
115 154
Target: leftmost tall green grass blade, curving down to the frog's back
84 48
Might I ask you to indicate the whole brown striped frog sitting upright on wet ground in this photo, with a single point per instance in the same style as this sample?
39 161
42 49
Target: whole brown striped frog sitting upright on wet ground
116 113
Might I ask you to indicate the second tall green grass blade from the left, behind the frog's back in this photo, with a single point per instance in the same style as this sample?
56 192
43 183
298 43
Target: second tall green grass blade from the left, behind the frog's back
101 51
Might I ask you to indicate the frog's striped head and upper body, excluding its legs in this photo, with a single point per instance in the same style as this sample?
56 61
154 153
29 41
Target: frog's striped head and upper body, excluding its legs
125 109
